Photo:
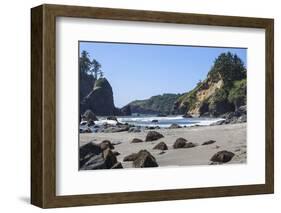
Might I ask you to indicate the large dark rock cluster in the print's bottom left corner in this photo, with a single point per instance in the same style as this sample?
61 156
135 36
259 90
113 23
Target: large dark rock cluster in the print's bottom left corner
98 156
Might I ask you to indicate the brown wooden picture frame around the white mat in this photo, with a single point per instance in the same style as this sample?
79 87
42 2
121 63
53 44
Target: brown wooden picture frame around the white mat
43 105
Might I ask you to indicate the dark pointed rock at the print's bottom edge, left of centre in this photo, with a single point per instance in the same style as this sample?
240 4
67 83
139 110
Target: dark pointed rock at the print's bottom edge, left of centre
144 159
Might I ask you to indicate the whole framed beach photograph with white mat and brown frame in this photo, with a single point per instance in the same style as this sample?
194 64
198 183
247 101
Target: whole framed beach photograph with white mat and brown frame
136 106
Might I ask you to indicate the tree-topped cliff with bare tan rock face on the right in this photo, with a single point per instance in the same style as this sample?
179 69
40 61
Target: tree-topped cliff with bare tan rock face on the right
223 91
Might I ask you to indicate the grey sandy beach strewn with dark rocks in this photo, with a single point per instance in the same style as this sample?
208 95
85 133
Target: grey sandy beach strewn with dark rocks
231 137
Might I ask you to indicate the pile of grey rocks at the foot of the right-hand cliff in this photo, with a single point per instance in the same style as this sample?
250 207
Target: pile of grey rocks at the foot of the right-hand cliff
238 116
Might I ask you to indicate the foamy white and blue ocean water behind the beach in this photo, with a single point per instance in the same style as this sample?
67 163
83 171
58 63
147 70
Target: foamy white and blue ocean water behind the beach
162 122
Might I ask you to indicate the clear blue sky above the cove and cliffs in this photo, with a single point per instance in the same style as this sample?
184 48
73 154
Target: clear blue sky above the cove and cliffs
137 71
